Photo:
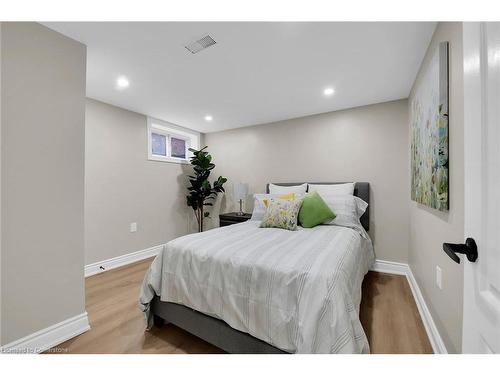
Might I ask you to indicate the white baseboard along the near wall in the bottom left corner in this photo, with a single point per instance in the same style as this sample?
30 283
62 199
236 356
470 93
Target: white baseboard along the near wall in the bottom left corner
49 337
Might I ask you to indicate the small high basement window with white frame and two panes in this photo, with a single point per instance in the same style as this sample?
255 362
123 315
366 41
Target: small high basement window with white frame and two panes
170 143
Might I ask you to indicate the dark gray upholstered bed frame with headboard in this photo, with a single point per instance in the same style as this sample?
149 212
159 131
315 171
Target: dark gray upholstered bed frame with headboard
216 331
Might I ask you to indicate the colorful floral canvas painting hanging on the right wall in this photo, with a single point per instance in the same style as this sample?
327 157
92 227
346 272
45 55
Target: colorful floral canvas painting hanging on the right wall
429 134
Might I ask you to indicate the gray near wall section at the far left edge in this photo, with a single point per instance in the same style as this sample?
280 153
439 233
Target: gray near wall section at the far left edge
43 113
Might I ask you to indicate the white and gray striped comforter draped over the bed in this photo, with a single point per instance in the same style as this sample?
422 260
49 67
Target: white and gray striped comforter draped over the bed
297 290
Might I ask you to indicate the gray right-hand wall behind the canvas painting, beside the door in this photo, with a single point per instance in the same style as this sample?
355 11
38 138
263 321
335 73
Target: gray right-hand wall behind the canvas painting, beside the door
430 228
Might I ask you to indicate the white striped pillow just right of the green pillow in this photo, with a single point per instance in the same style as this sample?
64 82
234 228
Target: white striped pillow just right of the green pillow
348 210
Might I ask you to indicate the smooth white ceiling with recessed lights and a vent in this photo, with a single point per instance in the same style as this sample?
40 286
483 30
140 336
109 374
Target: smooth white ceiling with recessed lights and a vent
256 73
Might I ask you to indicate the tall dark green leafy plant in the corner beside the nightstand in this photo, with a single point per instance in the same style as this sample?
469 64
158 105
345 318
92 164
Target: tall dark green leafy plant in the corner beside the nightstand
201 192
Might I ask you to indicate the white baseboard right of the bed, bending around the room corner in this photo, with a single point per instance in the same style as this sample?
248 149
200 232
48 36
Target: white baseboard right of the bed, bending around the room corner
430 327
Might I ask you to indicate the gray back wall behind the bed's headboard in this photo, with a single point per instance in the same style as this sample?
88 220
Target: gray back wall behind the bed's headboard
362 144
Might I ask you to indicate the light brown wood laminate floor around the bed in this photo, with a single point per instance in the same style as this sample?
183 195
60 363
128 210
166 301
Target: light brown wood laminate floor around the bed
388 313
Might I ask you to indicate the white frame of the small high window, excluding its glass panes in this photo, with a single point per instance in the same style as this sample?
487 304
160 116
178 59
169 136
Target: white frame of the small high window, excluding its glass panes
169 130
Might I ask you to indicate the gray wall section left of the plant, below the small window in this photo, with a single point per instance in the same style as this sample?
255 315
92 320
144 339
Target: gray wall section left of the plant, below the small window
122 186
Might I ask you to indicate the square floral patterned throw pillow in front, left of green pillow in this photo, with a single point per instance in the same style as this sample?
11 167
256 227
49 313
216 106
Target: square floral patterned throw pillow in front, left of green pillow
281 213
